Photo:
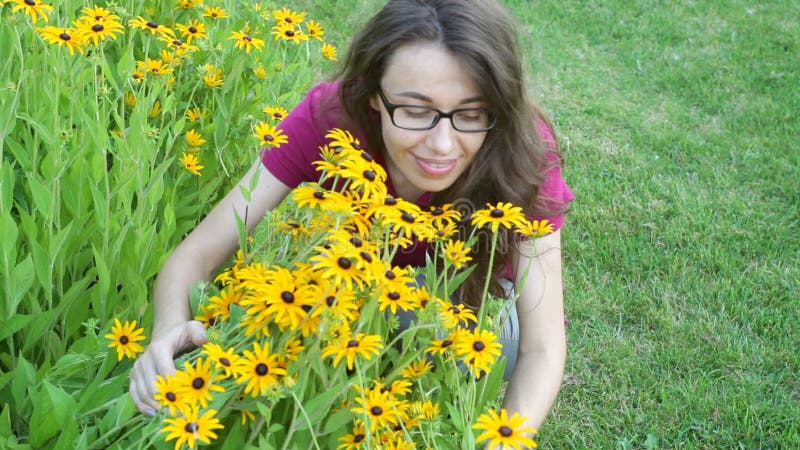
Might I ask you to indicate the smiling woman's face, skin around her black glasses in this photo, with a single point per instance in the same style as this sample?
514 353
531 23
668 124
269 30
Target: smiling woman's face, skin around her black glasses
427 74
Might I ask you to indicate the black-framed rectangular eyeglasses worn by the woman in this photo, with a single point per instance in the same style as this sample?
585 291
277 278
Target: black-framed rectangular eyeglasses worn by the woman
418 118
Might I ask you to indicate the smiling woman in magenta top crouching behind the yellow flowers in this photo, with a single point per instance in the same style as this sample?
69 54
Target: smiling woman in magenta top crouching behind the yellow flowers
435 90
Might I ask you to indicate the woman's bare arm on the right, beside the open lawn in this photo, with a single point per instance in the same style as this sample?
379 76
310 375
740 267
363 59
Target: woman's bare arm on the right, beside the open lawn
538 374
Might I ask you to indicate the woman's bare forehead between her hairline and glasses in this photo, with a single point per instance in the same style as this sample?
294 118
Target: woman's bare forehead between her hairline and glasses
429 69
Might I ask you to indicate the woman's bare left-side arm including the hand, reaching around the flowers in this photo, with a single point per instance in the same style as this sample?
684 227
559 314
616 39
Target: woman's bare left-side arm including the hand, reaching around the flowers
198 257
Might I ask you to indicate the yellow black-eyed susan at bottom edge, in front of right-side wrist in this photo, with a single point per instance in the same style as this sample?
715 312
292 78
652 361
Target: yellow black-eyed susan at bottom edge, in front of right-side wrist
504 432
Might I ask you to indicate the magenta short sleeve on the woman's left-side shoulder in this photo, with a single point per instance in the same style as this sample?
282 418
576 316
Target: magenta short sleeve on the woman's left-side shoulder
305 126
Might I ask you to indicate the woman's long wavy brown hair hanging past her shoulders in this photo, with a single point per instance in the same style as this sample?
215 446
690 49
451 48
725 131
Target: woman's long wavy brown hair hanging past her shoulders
509 167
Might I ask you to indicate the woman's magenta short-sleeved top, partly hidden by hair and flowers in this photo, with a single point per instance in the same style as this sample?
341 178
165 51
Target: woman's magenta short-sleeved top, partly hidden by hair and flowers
306 126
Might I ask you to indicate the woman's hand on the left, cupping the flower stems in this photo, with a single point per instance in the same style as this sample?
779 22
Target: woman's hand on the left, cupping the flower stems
158 360
